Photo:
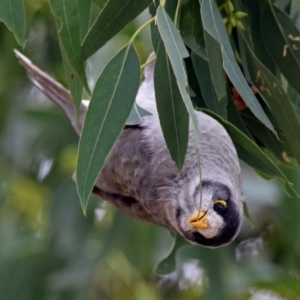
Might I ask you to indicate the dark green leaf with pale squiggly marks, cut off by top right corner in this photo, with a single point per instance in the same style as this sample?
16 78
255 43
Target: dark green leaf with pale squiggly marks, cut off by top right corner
282 40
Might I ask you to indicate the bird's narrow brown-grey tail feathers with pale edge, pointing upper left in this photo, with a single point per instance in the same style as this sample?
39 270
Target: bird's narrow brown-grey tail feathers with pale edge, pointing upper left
58 94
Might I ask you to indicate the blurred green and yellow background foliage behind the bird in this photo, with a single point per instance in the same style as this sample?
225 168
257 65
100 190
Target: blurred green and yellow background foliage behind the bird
49 250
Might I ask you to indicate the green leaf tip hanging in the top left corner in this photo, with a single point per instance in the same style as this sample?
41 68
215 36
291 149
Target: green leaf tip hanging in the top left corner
12 13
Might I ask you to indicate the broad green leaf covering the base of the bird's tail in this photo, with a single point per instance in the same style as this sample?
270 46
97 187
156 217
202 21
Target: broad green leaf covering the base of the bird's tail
109 108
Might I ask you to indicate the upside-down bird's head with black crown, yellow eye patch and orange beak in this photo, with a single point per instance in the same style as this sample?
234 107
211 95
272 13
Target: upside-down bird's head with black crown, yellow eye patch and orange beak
217 221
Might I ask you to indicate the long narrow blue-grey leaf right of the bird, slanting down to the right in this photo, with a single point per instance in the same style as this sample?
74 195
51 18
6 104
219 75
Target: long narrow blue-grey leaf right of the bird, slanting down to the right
214 25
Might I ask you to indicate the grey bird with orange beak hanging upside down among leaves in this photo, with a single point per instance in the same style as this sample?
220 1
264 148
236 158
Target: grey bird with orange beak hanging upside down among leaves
140 178
